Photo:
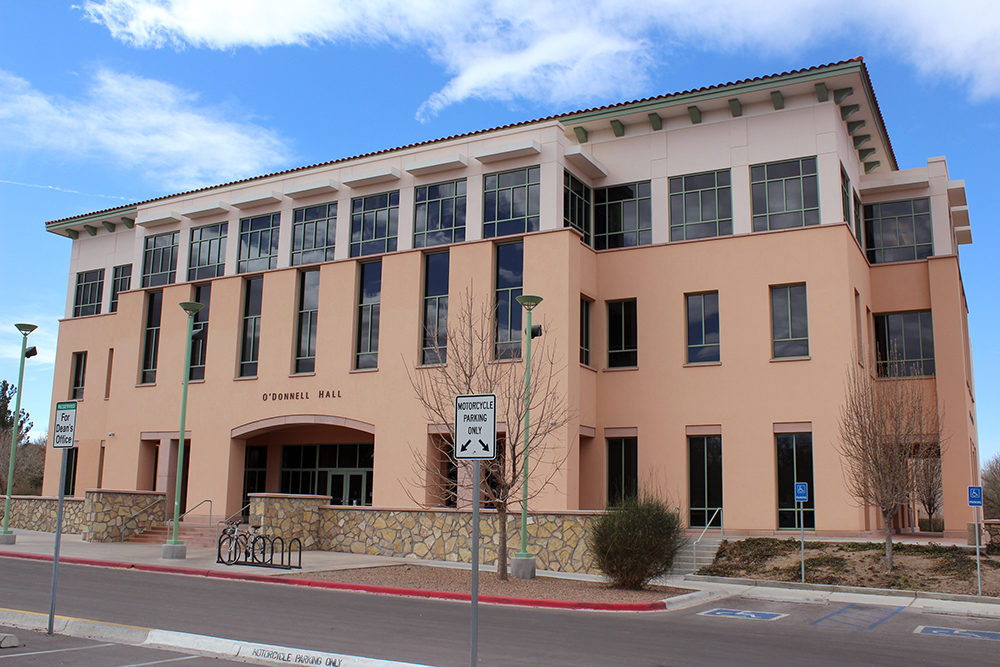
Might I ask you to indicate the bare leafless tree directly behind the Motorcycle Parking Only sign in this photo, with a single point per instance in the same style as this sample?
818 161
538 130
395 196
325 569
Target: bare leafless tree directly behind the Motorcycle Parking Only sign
476 363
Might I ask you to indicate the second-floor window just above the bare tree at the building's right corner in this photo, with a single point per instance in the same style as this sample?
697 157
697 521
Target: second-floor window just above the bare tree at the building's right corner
904 344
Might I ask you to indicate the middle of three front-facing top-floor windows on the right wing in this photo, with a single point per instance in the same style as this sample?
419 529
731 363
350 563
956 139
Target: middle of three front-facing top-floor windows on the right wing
701 206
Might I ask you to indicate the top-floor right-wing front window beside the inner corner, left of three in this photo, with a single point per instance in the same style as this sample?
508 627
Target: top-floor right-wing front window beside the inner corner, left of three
623 216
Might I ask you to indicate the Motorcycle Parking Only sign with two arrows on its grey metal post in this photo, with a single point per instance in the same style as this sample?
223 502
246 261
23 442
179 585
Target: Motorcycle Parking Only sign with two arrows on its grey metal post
475 441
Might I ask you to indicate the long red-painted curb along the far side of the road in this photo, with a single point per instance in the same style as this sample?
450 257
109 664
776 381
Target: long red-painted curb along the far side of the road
659 605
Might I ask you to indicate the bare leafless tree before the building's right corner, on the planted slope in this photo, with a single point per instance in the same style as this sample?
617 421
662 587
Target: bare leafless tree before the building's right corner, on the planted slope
885 424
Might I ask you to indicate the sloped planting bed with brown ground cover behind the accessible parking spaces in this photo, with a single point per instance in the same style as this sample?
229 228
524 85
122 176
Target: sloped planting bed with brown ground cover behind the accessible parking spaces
933 567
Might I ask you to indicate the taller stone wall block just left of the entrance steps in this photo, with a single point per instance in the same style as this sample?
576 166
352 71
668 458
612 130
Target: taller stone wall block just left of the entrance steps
114 516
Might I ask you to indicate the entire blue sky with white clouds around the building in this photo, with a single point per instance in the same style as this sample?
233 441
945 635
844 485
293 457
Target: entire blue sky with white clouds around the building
110 102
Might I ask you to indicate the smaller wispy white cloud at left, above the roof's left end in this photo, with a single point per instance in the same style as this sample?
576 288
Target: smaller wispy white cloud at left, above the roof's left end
151 127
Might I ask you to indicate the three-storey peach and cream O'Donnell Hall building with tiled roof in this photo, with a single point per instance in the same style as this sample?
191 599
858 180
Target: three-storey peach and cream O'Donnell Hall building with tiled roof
712 263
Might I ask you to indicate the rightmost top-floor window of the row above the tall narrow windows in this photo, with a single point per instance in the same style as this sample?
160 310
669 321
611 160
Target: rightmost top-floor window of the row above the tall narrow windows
511 202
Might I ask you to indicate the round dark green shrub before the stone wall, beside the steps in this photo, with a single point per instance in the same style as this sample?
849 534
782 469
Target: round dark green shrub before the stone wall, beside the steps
636 540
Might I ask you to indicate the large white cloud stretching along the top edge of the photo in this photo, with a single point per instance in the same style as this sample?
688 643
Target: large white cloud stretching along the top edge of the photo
565 51
